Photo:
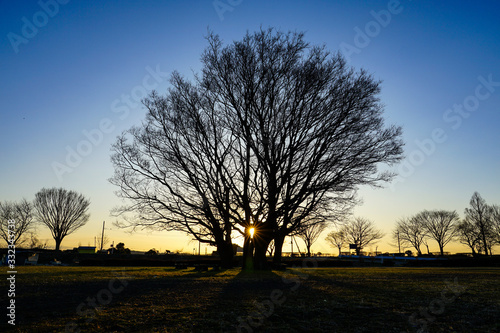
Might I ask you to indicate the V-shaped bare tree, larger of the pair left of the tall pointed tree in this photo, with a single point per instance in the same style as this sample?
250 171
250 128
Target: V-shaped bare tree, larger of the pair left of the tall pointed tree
440 225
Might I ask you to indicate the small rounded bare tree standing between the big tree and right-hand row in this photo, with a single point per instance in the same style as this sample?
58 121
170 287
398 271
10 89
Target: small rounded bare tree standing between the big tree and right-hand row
362 232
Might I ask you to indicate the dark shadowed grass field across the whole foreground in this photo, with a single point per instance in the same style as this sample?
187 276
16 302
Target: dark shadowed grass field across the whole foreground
370 299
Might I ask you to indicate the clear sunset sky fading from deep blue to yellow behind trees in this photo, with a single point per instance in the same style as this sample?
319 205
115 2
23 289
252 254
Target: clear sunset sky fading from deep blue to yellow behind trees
72 74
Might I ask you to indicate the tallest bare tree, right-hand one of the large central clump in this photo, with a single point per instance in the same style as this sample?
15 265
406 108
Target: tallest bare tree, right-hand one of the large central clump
313 126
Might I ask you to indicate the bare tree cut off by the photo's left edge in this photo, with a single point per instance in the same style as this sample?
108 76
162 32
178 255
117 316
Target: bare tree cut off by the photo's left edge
22 214
